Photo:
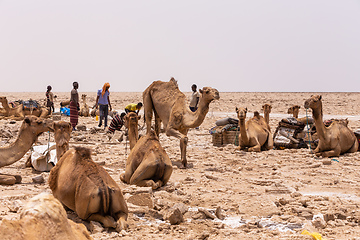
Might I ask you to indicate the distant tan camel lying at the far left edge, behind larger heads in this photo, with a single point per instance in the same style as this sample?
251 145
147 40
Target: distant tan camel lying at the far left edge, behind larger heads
18 112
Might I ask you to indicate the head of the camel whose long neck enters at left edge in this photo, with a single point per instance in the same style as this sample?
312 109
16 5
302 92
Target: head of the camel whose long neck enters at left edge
36 125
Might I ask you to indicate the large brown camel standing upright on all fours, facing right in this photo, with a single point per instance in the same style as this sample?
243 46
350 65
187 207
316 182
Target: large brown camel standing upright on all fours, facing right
170 106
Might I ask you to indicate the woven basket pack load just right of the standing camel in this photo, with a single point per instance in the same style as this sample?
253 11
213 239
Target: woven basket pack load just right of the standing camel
225 132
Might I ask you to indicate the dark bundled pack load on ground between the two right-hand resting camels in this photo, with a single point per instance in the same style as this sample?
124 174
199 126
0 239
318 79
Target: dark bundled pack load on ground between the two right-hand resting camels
289 134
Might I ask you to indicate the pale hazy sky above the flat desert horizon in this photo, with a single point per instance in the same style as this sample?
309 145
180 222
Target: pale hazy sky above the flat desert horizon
232 45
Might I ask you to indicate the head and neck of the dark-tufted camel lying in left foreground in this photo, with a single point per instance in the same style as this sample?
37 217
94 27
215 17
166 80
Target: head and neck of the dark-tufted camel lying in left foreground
62 131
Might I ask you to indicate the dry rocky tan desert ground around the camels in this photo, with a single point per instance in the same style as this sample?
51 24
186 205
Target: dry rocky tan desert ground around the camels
274 194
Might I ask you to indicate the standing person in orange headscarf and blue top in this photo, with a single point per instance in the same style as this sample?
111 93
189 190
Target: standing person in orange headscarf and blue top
103 100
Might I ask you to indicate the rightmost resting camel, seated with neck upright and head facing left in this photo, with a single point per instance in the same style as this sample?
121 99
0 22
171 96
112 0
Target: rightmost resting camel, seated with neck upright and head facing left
335 139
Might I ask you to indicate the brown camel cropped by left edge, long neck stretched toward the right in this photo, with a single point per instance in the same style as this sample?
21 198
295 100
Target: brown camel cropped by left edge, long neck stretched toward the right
29 131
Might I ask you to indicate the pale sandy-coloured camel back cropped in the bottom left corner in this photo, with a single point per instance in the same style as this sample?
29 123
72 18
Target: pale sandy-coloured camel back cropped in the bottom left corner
43 218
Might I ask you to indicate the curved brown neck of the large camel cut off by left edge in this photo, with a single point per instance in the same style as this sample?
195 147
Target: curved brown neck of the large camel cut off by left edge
16 150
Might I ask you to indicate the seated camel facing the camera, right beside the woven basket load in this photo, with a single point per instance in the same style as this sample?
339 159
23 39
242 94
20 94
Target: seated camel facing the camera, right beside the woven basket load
254 134
